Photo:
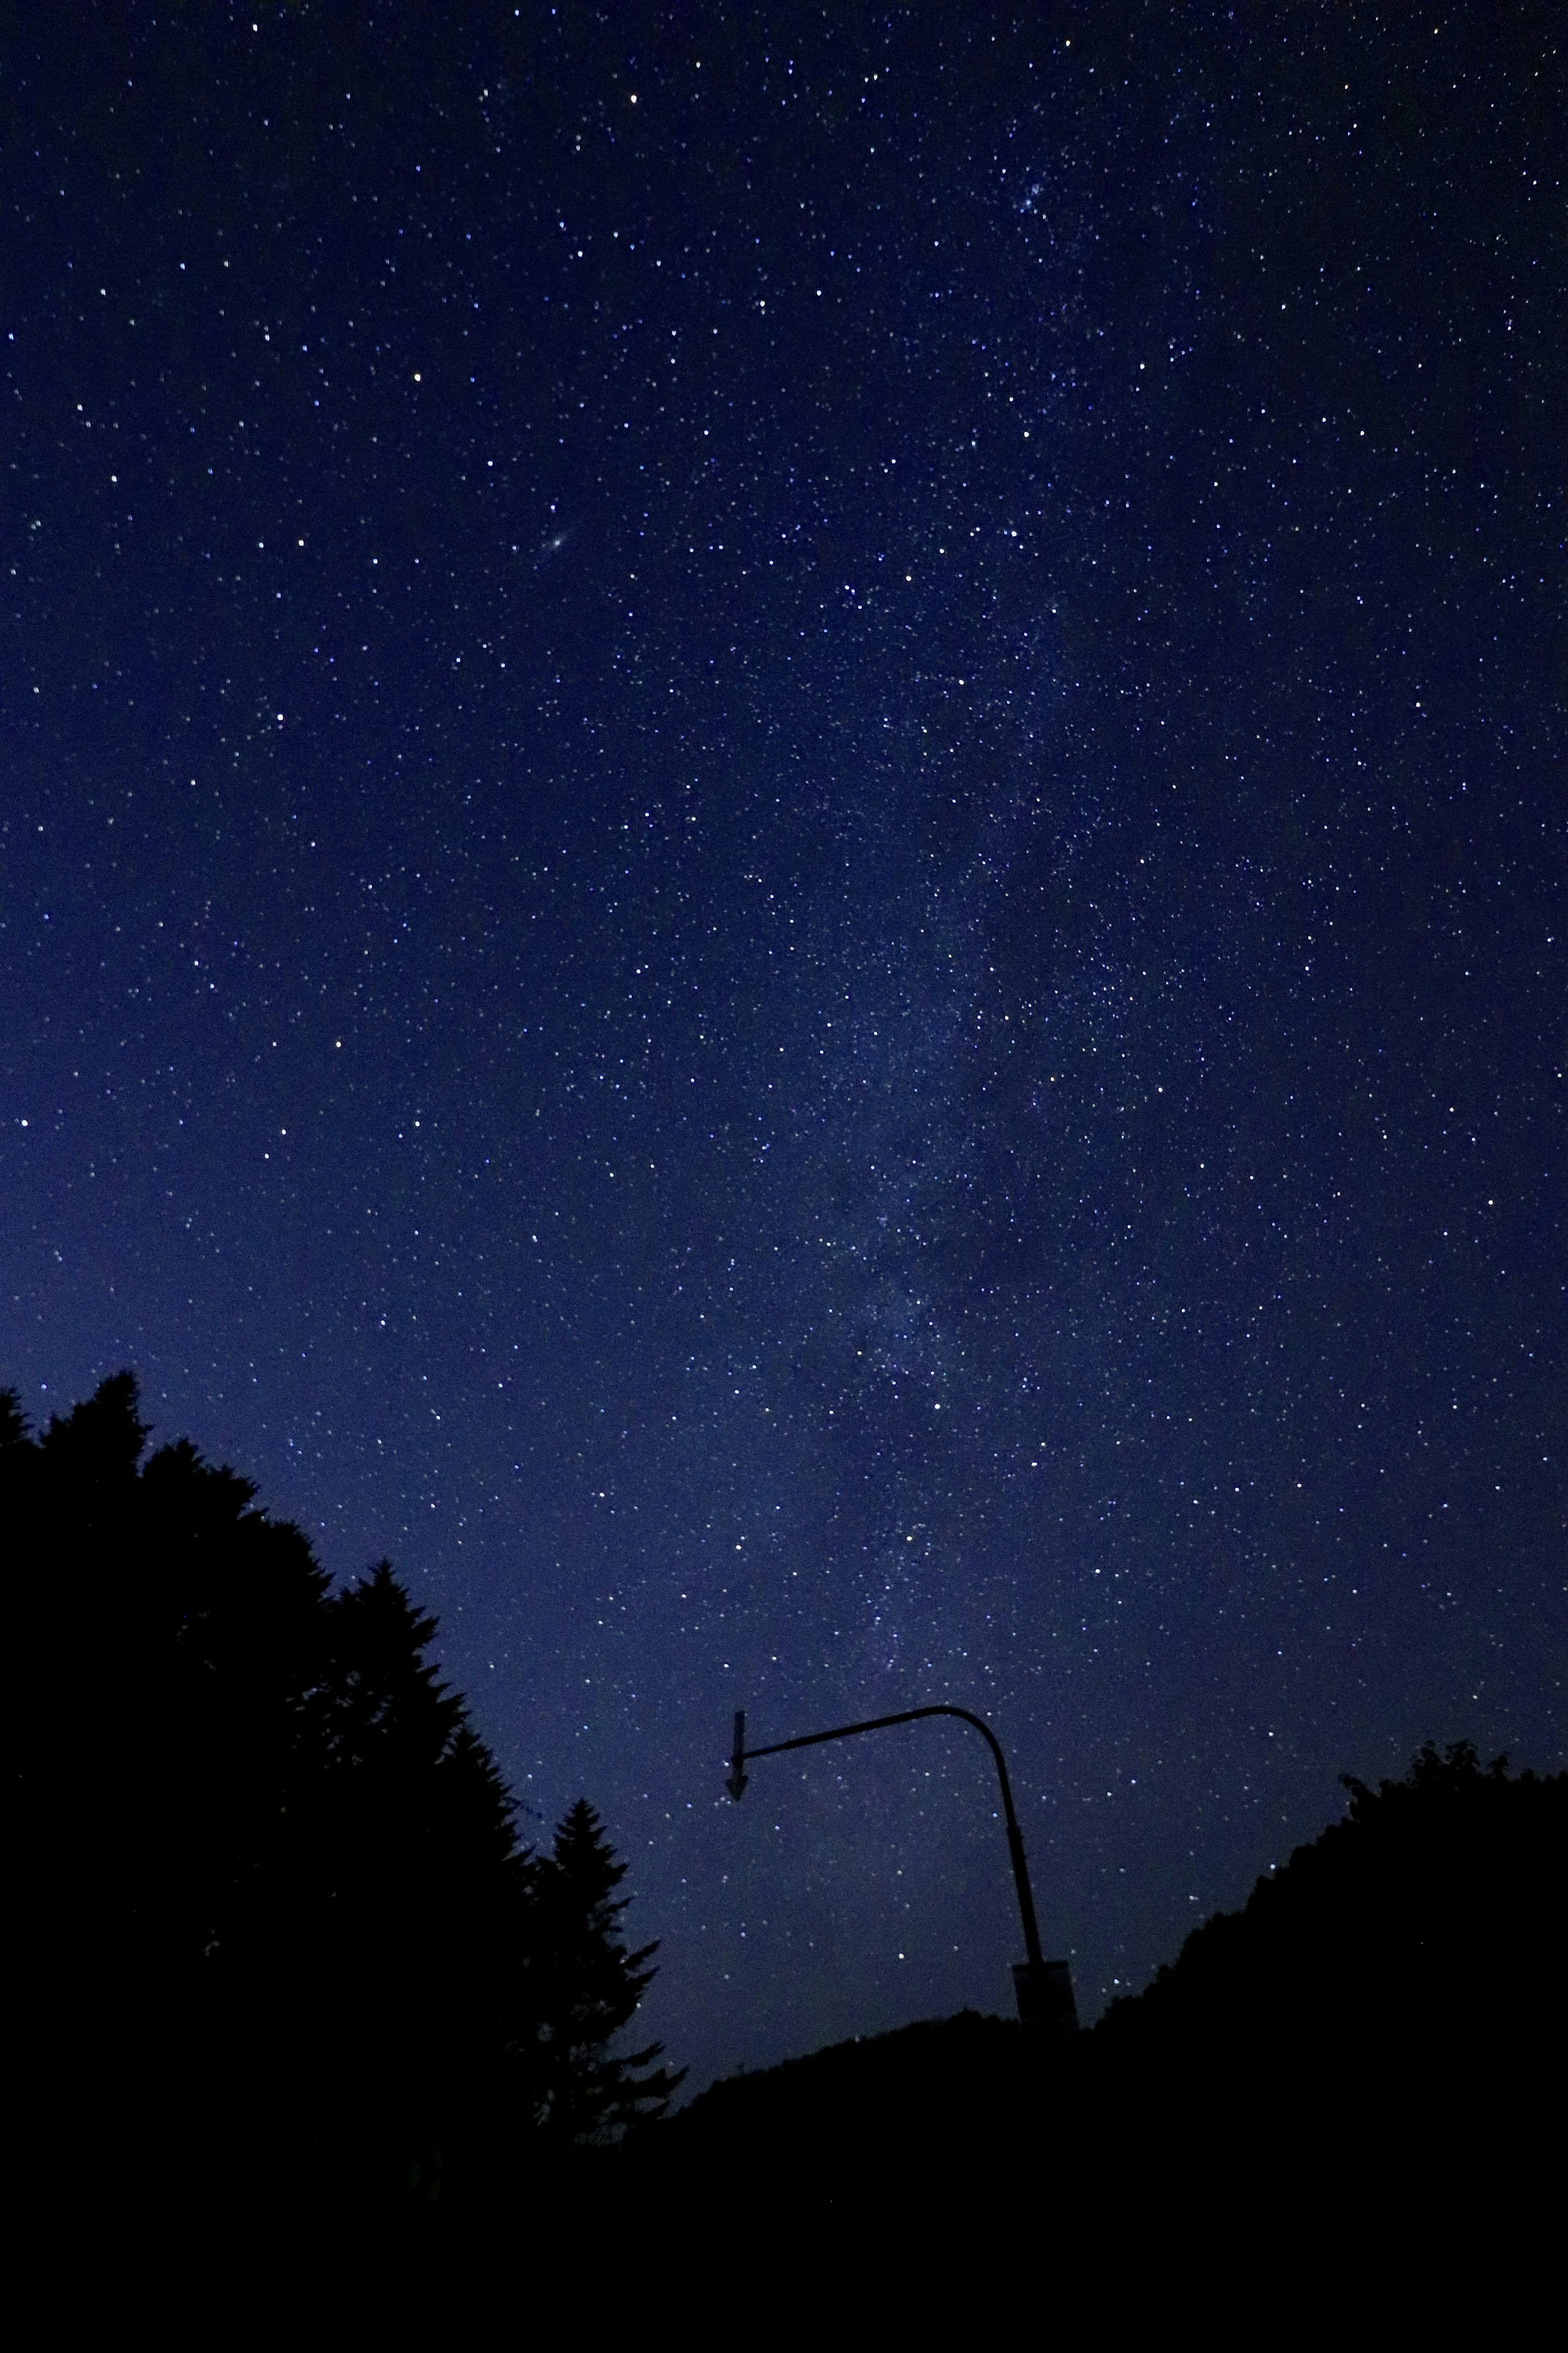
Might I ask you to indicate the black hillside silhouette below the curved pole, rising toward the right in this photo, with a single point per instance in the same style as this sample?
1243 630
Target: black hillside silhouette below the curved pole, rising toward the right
1346 2095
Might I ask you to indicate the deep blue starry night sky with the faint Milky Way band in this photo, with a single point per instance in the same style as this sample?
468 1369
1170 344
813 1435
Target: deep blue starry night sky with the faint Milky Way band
784 876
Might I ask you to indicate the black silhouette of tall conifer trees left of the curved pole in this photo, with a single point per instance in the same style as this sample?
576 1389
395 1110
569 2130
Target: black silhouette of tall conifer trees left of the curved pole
286 1938
